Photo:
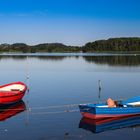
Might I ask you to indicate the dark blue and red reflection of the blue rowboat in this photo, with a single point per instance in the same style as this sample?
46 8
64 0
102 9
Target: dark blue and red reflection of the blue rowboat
101 125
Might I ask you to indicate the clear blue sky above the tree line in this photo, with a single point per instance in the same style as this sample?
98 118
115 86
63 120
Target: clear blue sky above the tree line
72 22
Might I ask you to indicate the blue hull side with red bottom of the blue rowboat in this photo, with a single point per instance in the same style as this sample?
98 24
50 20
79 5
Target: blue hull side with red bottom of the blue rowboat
93 112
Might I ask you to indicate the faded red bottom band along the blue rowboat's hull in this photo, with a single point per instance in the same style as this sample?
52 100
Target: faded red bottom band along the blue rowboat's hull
101 116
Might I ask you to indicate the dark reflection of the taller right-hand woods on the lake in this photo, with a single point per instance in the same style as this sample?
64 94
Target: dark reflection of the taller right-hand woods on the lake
114 60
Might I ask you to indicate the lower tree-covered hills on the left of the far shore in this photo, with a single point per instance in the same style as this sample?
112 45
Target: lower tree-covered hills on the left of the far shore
46 47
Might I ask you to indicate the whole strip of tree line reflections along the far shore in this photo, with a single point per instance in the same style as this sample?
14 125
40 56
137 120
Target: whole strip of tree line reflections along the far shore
112 60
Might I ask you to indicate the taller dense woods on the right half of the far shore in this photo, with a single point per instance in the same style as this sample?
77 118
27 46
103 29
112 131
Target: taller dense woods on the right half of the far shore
113 44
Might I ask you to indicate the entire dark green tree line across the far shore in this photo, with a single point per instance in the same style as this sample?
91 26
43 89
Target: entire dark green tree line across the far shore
131 44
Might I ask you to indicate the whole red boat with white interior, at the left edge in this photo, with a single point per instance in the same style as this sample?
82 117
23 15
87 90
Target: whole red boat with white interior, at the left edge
12 92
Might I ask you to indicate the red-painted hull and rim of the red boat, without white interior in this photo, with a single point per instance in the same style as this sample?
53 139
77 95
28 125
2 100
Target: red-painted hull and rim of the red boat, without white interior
7 97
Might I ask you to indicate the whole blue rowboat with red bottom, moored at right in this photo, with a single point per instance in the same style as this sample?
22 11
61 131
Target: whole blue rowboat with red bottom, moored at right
99 111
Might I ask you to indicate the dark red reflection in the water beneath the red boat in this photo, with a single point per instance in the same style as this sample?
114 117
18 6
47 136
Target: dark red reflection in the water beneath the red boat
7 111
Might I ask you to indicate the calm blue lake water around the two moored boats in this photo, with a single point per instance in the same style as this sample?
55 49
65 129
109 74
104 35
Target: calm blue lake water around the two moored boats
57 84
